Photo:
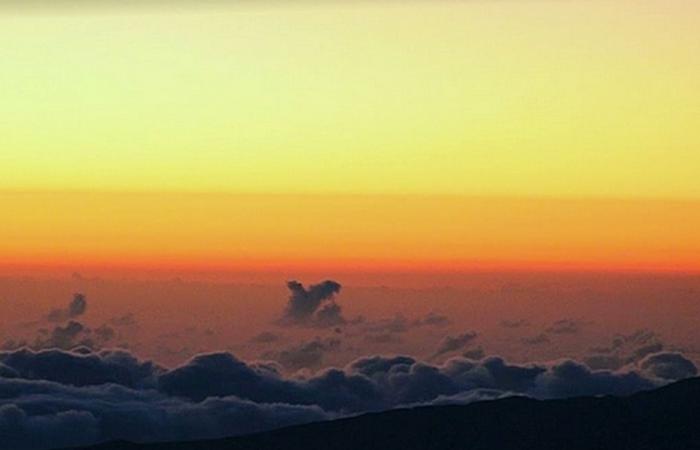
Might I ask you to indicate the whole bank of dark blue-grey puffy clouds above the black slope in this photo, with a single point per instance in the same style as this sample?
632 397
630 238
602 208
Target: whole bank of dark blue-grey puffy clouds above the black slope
112 394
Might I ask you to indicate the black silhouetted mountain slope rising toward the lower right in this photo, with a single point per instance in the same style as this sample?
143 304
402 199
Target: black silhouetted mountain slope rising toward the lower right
666 418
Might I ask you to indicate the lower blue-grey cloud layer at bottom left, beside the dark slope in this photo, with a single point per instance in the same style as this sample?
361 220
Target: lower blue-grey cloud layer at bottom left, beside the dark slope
36 415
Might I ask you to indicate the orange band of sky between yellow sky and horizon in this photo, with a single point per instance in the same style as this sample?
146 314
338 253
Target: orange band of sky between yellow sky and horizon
263 232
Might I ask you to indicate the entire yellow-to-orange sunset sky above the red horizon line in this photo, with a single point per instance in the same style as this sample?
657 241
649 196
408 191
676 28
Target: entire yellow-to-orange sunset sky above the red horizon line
375 136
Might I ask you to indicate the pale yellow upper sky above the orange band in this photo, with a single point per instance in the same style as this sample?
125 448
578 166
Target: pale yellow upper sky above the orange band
515 98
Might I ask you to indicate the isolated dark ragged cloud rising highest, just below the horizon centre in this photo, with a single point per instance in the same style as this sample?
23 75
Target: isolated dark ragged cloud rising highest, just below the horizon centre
314 306
